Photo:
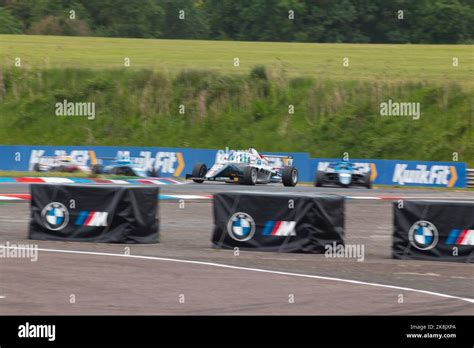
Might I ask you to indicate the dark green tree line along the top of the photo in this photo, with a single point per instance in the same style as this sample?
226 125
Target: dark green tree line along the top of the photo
348 21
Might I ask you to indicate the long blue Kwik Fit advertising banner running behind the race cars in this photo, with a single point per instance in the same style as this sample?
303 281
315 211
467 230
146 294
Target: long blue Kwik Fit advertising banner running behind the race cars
180 161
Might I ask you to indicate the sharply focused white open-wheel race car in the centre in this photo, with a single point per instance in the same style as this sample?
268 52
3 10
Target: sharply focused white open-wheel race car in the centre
247 167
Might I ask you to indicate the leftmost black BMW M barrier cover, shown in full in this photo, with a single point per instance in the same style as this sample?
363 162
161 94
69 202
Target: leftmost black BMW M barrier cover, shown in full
110 214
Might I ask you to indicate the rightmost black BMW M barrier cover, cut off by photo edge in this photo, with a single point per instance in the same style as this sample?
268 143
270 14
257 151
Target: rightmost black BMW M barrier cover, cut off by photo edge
434 230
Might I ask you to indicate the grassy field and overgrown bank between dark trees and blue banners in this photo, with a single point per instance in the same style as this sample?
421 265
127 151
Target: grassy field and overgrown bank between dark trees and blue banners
336 108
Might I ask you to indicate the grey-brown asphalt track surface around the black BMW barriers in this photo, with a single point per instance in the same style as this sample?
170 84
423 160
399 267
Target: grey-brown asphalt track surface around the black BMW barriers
183 274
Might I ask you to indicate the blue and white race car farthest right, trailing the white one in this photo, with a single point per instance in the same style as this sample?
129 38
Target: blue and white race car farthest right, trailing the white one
343 174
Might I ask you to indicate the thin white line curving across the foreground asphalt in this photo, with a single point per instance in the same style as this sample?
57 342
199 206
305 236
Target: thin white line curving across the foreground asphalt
470 300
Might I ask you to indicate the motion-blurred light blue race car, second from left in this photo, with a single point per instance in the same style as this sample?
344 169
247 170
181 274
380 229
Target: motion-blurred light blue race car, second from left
123 165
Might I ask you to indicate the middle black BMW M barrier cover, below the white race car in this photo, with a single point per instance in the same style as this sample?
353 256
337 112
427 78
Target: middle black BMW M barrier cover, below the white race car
278 222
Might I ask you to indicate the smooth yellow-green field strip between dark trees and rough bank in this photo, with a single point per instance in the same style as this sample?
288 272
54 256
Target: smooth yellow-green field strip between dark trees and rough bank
396 63
